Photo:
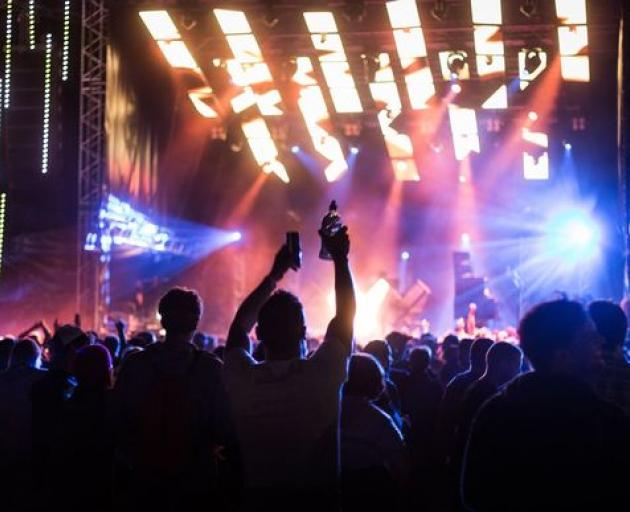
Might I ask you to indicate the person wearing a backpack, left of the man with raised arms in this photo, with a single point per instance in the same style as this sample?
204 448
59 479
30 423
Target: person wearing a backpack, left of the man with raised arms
170 414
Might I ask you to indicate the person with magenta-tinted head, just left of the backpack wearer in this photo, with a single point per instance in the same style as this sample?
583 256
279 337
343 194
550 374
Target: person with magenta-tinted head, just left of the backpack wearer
85 442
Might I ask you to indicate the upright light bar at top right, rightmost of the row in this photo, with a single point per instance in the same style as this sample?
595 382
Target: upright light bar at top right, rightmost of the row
573 40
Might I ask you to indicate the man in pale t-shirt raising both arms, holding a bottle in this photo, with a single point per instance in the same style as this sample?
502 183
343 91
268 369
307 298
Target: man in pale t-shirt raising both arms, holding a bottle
286 409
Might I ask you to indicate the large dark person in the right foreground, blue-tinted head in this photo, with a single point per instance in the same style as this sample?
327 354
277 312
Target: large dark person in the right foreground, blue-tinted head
547 442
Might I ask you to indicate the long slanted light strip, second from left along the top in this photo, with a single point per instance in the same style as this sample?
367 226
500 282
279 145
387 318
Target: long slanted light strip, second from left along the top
246 69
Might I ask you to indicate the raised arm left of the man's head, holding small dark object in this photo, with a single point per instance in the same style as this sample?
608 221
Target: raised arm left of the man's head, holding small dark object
247 313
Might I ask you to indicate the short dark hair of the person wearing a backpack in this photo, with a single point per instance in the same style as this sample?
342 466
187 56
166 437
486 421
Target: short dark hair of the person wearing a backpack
180 310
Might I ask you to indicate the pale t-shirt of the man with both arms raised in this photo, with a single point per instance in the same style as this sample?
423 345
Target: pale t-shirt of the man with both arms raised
286 415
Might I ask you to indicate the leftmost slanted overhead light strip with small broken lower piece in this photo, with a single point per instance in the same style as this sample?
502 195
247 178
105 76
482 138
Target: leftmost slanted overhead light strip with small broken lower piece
163 30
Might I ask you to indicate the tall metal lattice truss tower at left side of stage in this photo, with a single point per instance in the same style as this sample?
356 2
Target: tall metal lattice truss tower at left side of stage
92 286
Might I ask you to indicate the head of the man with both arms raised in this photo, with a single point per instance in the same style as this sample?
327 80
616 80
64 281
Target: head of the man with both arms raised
281 326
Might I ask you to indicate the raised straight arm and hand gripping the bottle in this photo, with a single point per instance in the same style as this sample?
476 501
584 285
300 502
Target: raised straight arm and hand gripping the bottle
342 325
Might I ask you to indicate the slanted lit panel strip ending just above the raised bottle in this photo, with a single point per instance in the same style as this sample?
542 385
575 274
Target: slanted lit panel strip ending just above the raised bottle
317 119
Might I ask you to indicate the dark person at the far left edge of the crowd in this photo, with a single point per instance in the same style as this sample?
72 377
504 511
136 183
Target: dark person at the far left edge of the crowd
16 440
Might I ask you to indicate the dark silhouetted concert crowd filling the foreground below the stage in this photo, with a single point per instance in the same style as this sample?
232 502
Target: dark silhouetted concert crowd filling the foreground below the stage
539 423
